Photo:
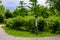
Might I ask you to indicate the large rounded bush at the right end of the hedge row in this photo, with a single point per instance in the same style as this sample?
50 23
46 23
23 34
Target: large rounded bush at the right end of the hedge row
54 24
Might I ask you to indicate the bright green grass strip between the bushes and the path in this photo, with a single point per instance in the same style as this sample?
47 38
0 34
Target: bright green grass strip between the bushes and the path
27 34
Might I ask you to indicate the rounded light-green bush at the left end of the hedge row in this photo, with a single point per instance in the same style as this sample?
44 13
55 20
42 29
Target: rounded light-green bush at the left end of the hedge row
15 23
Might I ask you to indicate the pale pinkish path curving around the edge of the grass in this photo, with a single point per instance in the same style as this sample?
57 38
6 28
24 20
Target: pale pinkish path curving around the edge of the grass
5 36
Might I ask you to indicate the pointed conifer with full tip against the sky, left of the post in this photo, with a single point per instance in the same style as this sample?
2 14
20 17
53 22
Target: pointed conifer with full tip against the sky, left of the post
20 10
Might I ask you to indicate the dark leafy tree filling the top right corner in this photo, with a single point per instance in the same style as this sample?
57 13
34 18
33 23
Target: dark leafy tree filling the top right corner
55 4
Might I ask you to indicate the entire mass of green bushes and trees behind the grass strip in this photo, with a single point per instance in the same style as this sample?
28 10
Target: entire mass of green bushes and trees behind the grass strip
23 19
